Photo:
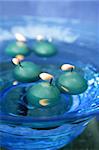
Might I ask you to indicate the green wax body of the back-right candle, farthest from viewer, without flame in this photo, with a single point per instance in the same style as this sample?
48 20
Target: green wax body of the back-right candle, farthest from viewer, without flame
44 49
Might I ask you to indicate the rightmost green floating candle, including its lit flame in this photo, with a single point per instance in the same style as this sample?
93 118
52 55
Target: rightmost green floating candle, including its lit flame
71 81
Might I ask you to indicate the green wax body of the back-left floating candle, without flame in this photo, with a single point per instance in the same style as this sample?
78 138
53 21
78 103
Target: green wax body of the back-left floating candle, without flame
17 48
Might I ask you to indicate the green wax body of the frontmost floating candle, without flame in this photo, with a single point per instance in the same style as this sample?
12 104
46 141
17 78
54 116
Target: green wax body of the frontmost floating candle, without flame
43 94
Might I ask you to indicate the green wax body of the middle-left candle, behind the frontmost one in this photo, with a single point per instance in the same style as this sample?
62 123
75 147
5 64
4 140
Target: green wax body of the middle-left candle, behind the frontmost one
27 72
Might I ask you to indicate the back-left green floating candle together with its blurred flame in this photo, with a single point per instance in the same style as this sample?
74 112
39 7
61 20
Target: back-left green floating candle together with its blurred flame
19 47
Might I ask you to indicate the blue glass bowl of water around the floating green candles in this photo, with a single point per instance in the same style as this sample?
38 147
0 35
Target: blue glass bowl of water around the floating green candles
74 46
